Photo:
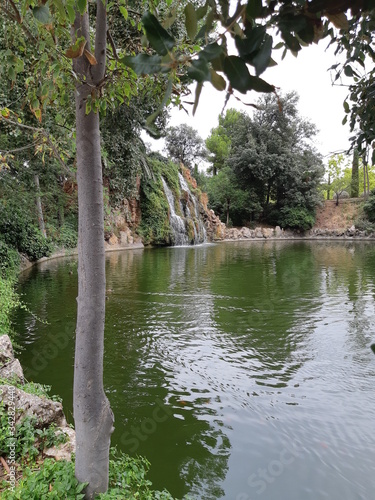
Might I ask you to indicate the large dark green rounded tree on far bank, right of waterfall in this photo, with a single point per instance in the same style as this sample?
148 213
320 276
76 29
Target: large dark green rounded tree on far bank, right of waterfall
276 157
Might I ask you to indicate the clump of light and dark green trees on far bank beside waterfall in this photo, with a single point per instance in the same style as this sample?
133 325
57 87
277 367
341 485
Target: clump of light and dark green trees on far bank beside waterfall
268 167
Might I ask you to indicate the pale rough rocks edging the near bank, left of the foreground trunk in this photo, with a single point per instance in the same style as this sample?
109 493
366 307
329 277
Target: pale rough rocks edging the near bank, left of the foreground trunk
24 404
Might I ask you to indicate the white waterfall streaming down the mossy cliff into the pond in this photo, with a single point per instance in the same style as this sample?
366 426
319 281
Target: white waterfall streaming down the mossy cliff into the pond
188 229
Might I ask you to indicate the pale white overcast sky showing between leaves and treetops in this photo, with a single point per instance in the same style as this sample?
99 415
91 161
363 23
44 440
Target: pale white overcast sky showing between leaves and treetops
308 74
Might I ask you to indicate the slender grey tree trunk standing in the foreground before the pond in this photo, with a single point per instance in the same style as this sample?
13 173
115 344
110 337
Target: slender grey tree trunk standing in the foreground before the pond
92 413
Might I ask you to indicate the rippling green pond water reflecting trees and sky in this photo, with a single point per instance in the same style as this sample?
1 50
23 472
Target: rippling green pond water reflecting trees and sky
240 370
